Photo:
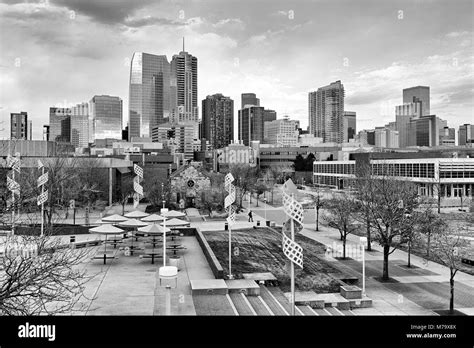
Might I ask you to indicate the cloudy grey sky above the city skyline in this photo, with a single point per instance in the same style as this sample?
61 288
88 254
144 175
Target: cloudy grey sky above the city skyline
63 52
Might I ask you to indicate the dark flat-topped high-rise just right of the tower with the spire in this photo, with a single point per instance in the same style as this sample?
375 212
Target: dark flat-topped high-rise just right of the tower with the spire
218 120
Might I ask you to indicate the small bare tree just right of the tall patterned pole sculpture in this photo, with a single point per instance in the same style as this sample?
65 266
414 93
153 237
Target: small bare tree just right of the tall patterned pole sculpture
341 210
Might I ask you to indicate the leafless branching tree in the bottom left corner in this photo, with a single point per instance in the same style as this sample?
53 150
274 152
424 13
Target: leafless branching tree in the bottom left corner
41 277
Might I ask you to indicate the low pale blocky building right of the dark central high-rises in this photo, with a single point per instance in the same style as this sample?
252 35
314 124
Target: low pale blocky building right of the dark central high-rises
282 132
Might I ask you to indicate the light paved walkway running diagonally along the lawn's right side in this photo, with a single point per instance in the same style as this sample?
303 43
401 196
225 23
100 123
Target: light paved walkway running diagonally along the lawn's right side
416 291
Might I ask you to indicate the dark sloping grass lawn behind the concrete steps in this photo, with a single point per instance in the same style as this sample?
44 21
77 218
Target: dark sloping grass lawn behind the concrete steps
259 250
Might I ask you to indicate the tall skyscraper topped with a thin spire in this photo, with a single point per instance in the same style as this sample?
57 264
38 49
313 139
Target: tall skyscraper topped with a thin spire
184 70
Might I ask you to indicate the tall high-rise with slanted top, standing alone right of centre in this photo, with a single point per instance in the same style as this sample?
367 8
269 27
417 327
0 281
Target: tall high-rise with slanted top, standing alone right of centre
326 112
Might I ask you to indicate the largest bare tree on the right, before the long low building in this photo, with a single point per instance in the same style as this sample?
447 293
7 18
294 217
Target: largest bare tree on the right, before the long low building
388 203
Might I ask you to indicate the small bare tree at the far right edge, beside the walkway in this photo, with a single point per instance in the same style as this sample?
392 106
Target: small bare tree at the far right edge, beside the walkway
449 248
